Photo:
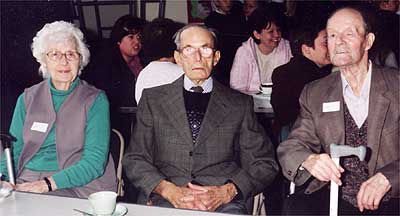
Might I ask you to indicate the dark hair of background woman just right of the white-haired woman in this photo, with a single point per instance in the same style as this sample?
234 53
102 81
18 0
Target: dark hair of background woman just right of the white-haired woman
126 25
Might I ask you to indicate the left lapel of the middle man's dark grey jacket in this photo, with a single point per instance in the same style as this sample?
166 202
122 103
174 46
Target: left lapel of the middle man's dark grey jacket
174 107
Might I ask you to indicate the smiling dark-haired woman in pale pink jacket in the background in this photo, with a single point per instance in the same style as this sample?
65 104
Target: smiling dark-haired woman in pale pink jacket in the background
265 50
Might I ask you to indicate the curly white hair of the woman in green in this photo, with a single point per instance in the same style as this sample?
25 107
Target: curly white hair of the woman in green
55 32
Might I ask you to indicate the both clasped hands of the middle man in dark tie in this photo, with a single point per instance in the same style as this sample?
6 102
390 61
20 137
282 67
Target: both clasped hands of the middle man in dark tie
206 198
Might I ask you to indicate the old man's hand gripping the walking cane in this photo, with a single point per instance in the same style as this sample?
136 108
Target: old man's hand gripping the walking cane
322 167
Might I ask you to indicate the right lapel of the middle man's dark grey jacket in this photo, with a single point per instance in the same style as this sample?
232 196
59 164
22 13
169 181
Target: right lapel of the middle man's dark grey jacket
217 111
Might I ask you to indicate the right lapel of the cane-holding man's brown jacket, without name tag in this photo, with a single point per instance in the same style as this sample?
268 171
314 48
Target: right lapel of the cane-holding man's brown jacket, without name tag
378 107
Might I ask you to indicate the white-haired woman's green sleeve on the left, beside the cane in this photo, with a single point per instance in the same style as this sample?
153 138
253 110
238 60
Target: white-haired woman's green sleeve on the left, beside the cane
16 128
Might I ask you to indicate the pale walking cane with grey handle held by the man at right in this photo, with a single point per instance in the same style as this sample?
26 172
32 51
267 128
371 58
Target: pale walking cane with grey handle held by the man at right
338 151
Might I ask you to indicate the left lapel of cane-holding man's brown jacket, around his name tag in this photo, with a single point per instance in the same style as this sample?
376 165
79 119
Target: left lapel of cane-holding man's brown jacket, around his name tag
334 120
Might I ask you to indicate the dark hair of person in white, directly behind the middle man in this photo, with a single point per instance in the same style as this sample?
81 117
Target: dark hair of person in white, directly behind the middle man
158 39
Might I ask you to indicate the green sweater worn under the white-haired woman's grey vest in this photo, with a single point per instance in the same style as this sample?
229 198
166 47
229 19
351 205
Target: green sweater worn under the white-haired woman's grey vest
95 150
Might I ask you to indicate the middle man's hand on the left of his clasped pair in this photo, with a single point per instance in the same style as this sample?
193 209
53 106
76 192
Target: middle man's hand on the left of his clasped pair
179 197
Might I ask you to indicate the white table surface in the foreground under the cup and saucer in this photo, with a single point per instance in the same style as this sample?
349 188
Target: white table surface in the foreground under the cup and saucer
29 204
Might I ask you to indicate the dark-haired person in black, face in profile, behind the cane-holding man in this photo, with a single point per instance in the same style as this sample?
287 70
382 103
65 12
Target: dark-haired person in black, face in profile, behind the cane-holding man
309 63
